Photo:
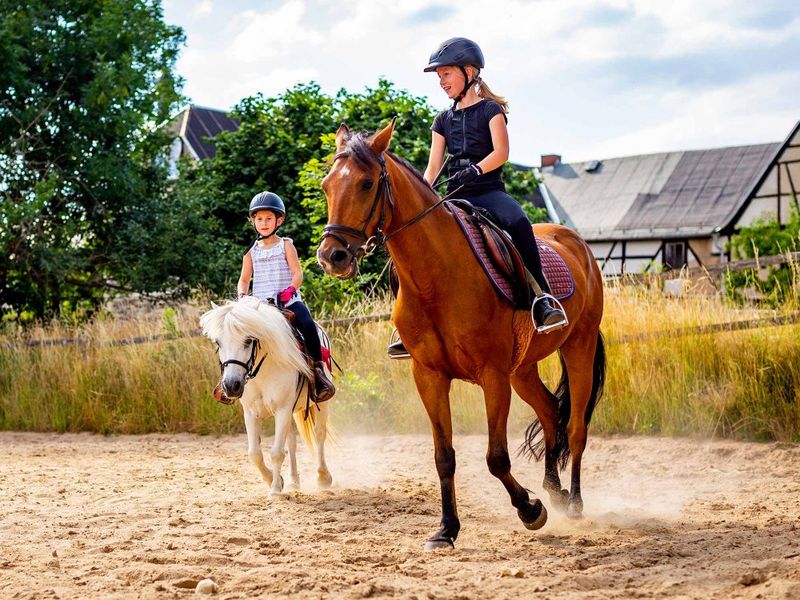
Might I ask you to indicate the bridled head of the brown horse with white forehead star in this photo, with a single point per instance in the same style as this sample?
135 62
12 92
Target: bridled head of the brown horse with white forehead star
359 200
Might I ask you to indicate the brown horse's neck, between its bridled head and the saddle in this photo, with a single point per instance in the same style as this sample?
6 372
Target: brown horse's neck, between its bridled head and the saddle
422 252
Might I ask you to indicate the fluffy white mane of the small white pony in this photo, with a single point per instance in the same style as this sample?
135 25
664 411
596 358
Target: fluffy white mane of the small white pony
251 318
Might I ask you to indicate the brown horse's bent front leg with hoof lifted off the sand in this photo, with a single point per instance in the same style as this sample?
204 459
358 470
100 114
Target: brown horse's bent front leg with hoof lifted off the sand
497 395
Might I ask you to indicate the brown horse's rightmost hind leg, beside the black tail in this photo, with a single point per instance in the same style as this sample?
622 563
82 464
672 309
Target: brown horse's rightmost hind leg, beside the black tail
578 354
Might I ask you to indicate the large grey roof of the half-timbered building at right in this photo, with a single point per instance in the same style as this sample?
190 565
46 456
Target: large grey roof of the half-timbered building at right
670 194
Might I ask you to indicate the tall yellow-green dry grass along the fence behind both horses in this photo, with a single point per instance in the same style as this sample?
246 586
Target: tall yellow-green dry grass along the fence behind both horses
743 384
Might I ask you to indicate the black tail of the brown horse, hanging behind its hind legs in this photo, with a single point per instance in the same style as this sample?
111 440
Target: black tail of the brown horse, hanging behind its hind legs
534 445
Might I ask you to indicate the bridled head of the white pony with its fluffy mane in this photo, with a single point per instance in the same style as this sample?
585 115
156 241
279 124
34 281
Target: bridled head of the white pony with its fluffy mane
247 334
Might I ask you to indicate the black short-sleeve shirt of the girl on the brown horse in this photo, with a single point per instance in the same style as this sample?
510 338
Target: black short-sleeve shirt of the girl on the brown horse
466 132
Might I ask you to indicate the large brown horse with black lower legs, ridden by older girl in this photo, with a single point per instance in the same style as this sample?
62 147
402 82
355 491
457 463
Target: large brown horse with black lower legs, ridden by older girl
456 327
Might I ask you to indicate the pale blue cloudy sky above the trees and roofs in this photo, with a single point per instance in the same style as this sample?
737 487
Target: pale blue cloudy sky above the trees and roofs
584 79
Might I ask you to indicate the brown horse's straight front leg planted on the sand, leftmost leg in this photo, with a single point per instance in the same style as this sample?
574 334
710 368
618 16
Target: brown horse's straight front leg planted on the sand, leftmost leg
434 390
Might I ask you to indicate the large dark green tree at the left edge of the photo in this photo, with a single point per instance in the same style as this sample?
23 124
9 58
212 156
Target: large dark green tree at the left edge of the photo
82 85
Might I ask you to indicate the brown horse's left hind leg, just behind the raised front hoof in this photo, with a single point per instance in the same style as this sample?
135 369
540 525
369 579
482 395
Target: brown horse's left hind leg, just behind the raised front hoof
528 384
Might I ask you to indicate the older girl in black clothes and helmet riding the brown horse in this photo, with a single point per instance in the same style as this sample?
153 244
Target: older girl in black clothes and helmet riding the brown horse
473 131
